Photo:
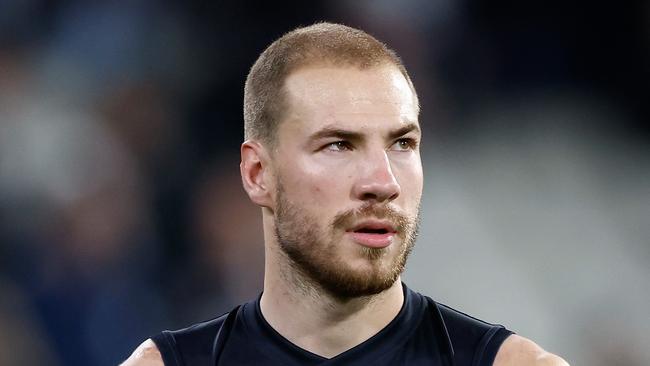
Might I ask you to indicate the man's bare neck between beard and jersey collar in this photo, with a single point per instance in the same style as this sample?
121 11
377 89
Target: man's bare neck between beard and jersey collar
312 319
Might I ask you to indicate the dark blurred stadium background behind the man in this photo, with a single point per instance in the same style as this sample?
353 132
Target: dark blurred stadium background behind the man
121 211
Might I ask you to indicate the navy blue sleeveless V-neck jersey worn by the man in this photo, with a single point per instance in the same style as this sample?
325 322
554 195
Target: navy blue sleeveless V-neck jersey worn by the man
423 333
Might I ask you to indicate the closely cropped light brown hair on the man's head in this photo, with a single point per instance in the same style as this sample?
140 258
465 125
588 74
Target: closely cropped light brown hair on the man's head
318 44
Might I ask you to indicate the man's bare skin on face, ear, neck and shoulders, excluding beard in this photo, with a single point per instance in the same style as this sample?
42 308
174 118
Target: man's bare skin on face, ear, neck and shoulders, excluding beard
323 174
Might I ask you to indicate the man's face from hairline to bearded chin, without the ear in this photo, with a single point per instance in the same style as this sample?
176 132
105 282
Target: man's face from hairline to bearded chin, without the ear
348 177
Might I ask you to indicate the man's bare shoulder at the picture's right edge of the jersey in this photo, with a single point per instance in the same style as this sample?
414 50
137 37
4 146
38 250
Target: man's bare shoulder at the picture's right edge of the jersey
519 351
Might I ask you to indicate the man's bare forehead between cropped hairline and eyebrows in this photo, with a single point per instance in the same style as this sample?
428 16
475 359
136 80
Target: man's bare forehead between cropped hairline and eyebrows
325 95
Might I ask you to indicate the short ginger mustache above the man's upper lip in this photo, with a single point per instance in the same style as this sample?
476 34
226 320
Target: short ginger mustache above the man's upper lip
348 218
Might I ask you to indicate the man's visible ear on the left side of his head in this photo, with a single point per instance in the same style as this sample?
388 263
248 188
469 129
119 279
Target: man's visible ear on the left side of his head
256 173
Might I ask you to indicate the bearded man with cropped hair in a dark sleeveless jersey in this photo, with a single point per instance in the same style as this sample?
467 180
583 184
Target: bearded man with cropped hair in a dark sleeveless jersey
332 158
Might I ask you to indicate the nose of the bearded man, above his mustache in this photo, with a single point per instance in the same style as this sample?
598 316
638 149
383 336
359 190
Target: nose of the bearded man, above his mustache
376 180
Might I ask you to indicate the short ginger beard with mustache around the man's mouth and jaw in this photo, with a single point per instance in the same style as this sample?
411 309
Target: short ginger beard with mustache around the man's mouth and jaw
314 252
